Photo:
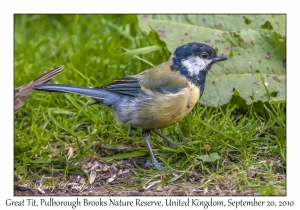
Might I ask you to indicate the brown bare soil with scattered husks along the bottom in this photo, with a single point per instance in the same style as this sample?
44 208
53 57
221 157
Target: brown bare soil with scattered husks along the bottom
110 179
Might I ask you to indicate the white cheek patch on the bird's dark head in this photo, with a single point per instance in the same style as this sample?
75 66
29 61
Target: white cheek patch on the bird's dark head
195 64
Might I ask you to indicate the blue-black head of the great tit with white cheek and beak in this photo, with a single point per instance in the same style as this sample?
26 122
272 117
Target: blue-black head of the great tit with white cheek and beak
193 60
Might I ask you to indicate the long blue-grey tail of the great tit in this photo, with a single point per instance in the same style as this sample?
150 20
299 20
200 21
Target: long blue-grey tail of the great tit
103 96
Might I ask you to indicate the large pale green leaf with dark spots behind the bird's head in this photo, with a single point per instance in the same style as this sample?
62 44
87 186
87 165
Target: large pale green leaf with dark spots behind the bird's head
250 41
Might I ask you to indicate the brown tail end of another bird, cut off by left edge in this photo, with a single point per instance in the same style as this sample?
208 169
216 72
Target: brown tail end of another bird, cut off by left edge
22 93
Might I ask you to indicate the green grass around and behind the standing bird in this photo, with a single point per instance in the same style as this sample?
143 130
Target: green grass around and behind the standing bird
234 146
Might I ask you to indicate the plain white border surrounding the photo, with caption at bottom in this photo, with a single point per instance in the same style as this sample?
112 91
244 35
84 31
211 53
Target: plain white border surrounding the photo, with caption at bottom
155 6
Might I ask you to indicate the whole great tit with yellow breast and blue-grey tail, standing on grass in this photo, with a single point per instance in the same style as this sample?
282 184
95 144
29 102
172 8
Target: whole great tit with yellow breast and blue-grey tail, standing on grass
155 98
